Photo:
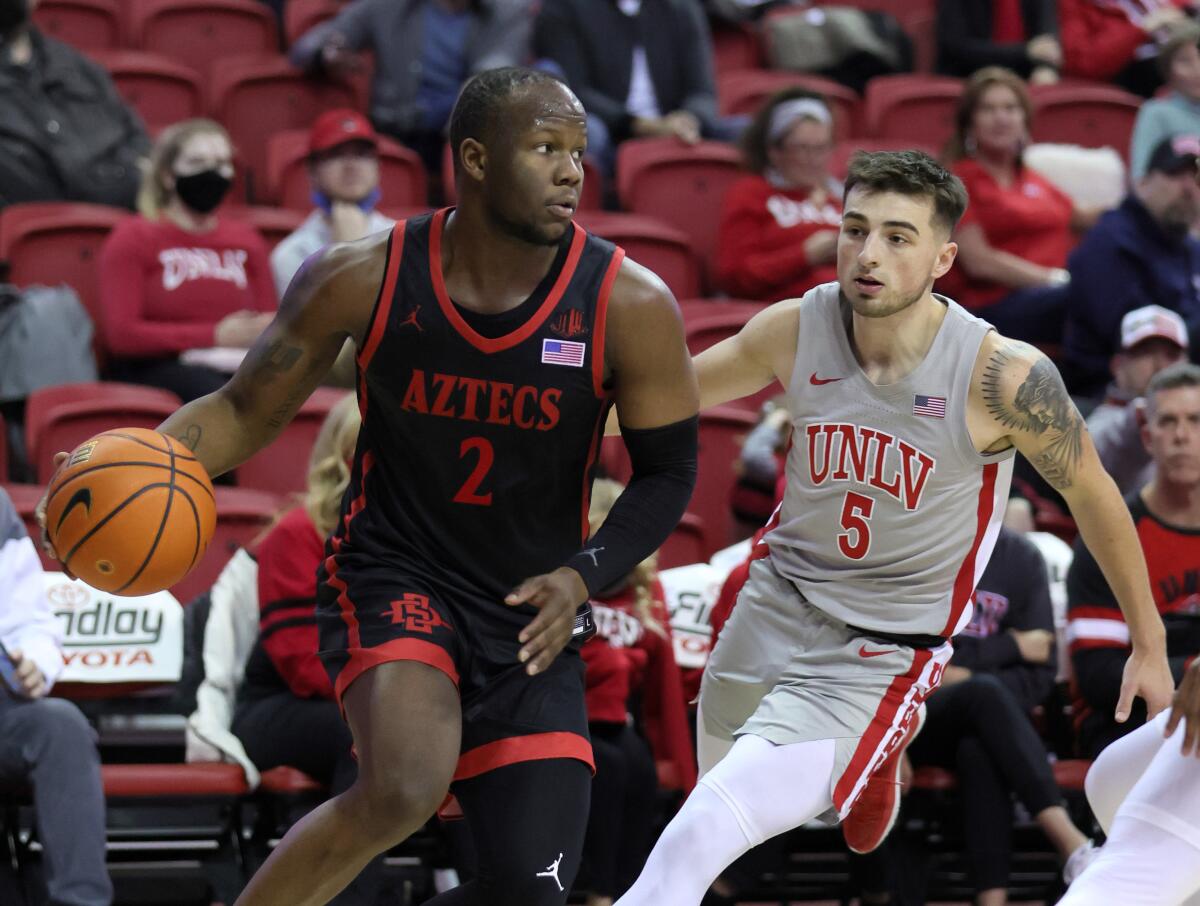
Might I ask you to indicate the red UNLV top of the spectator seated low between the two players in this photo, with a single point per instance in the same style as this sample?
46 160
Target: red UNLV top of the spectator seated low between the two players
623 657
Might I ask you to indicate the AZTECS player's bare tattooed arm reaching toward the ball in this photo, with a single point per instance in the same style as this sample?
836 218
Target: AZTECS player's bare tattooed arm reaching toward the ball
331 299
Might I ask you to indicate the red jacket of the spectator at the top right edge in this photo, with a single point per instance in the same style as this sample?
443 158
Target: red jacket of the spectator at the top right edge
1099 39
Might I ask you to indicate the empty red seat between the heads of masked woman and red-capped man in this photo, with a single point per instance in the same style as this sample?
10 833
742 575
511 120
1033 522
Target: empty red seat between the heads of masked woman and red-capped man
257 98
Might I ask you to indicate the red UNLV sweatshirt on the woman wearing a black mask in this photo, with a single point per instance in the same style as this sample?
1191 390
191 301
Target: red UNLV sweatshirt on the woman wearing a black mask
164 290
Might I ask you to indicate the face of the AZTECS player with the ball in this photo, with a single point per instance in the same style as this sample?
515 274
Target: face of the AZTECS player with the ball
537 175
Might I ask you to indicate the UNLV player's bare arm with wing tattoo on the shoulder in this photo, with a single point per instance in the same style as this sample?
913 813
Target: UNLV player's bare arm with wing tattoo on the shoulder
1019 393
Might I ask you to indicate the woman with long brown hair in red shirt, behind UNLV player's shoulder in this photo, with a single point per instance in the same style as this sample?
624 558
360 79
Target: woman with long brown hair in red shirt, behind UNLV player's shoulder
1018 231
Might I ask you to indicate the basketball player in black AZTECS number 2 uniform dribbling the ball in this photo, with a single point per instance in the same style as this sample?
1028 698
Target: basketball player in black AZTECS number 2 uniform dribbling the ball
491 343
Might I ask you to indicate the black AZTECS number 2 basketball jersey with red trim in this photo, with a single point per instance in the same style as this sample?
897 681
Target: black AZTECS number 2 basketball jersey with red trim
476 459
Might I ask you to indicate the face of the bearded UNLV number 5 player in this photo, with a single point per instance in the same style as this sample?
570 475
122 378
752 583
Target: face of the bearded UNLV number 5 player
890 251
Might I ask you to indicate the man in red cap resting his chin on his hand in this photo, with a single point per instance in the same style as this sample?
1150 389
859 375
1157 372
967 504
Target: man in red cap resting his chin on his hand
344 166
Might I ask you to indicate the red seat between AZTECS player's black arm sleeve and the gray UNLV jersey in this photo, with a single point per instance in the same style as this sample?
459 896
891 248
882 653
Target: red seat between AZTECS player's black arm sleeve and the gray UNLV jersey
722 431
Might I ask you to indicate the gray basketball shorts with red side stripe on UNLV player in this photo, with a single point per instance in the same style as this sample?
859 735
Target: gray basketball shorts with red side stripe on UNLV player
784 671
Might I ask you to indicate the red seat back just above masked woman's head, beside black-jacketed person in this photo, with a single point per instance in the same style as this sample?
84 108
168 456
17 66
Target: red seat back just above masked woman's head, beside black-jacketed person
161 91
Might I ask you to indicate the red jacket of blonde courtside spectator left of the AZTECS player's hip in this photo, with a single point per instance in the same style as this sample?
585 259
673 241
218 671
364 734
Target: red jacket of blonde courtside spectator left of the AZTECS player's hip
287 583
